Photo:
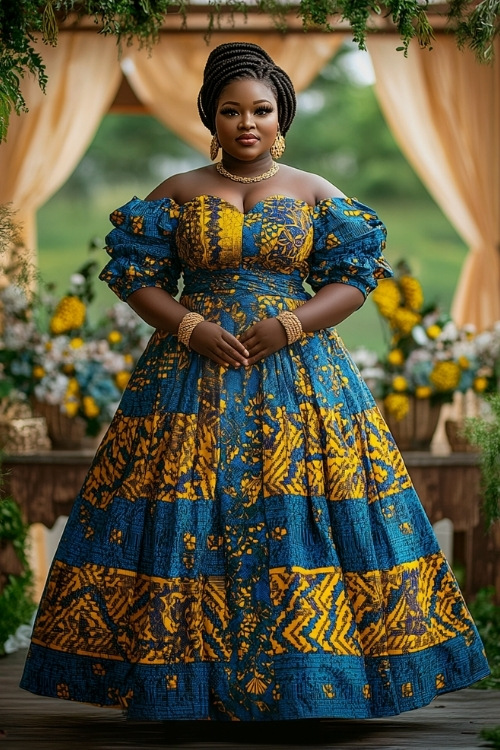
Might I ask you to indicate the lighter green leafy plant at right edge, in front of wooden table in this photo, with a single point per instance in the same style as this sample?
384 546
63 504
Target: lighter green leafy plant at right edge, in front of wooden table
485 433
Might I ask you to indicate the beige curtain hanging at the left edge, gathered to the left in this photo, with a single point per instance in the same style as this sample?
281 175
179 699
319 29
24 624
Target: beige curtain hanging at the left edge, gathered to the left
44 145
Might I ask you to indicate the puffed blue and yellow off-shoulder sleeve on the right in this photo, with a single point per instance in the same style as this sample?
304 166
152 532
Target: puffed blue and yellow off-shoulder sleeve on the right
349 240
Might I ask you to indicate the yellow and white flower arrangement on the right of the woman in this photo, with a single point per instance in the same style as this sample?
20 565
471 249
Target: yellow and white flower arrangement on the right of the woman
428 356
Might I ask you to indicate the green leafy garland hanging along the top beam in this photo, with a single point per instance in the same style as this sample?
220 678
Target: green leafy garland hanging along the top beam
475 24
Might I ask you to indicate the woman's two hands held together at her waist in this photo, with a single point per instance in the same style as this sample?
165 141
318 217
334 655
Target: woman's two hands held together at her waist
256 343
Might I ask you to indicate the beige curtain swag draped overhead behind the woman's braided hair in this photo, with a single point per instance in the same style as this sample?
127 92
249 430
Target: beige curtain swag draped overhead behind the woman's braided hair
168 80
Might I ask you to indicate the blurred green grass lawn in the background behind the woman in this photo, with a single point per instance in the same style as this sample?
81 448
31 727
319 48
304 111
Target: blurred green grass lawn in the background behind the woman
417 233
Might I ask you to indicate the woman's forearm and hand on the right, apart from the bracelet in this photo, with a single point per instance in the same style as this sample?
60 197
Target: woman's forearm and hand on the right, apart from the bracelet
330 306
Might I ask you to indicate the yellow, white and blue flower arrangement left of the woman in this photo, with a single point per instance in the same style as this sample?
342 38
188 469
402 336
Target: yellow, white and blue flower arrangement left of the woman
52 353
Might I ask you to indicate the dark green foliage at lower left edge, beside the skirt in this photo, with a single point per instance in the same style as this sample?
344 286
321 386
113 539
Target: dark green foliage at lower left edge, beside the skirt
16 604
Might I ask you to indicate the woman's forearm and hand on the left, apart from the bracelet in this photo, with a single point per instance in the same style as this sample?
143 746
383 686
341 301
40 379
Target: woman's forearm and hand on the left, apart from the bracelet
158 308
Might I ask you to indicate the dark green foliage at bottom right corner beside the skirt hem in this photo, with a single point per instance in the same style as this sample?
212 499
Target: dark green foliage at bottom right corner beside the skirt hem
486 615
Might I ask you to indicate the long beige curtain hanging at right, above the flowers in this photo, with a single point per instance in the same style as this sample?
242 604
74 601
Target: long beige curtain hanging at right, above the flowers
444 109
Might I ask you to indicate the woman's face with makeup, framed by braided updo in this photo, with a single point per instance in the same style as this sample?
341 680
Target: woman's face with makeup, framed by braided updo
246 119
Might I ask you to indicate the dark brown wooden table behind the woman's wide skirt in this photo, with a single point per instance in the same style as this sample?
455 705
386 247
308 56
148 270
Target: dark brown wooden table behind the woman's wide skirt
46 484
